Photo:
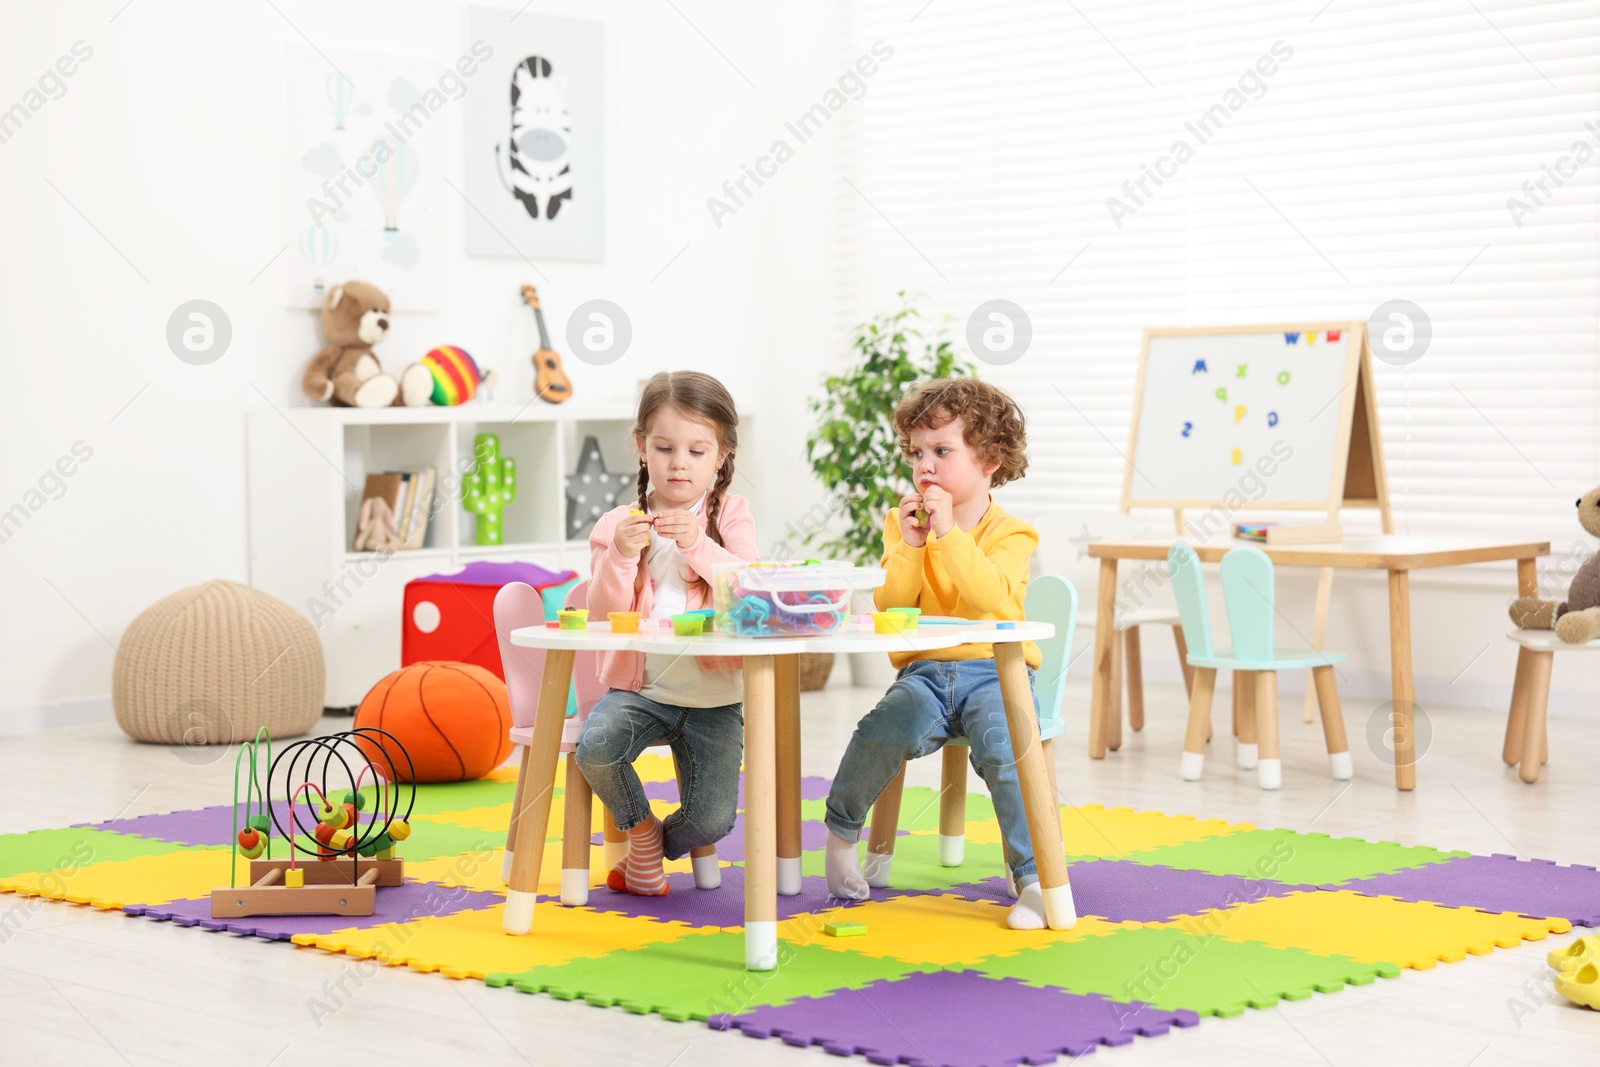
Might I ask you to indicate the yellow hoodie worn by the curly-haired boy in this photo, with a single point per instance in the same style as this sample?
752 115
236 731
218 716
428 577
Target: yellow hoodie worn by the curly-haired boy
978 573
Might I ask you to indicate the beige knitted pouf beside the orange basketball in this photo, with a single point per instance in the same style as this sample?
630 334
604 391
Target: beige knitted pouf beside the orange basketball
215 663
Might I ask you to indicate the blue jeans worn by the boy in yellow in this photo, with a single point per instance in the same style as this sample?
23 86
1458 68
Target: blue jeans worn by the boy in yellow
929 705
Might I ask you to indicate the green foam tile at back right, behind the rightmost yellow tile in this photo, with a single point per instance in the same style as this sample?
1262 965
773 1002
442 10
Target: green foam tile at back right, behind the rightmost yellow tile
1292 858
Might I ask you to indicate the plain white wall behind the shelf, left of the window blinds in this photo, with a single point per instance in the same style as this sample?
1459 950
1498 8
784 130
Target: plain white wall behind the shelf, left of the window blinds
166 154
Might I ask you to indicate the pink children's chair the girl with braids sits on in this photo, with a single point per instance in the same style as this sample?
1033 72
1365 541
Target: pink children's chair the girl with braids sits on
519 605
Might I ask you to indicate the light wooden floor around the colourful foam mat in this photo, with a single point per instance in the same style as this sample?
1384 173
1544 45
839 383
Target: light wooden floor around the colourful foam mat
97 988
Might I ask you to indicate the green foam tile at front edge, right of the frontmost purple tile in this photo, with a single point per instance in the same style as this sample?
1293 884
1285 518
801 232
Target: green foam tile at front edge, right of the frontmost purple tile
1172 970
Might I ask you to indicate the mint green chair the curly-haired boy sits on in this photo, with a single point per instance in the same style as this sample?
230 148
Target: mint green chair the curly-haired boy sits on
1050 599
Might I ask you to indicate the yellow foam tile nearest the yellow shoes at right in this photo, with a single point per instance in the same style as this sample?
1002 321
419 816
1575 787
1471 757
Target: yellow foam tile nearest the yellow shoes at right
1370 929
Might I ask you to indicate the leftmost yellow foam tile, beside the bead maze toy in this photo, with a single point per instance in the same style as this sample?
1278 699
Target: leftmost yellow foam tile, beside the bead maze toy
138 881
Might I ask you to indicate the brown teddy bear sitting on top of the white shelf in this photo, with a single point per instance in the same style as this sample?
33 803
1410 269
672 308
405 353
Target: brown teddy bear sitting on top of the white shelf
346 374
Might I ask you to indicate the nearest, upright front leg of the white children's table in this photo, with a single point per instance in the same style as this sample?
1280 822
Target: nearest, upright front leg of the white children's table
761 815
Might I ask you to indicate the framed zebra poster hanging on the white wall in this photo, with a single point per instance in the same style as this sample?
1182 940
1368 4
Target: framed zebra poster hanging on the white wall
537 138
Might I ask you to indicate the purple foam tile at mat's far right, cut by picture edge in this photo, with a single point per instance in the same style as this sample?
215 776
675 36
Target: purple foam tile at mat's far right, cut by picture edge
1495 884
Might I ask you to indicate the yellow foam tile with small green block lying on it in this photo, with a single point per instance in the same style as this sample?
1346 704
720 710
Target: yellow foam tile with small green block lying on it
938 930
